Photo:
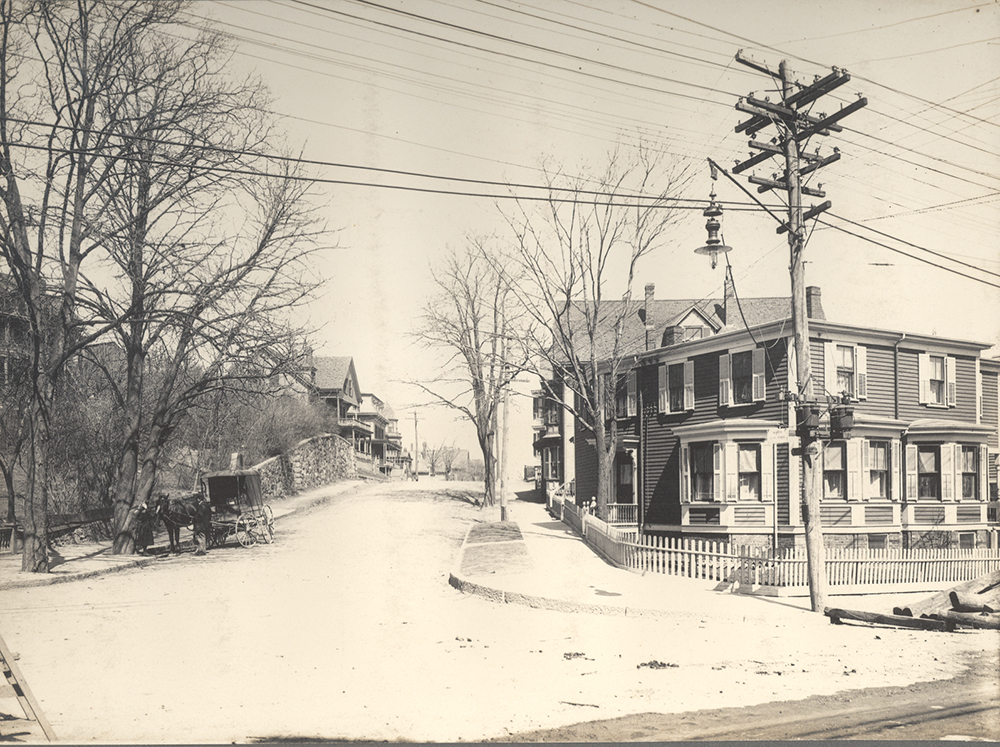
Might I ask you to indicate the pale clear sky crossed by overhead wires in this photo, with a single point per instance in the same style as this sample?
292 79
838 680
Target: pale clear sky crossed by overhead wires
417 114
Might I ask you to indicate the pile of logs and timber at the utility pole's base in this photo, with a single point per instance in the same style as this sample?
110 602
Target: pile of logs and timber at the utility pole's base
972 604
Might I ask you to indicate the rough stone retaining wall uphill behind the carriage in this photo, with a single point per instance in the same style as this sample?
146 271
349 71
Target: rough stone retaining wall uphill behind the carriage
312 463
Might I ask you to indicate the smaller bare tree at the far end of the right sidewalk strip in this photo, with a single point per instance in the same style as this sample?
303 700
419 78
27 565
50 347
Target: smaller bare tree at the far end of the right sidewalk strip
474 320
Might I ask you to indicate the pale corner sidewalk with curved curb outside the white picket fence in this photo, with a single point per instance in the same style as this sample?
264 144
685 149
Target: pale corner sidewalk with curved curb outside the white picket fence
538 561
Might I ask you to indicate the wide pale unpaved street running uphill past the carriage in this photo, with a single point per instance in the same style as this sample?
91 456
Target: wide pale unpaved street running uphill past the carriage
347 628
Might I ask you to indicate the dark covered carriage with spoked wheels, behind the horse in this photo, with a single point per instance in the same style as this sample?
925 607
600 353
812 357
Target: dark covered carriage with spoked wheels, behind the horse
238 508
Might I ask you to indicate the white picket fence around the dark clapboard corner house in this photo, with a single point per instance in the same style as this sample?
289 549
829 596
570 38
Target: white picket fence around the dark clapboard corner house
782 572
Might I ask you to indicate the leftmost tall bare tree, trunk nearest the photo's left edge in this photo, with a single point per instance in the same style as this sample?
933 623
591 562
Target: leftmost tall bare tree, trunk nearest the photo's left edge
56 143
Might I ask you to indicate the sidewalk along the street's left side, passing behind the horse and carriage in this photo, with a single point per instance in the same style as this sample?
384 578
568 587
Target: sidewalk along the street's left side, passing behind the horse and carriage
70 562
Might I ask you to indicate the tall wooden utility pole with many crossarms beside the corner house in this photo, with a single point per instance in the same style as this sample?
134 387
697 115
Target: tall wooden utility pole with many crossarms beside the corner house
795 127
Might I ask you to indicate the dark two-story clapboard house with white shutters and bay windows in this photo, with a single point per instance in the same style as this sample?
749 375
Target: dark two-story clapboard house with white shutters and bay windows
706 433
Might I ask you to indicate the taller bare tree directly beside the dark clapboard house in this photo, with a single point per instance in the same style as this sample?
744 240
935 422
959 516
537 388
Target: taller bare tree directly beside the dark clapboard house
570 254
